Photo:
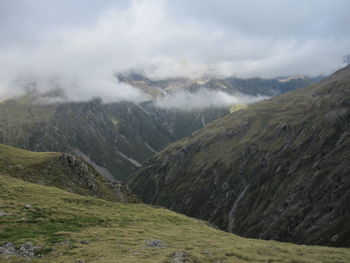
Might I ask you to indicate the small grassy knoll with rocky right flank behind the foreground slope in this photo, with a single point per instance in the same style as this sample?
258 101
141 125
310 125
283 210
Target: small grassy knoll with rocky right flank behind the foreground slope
61 170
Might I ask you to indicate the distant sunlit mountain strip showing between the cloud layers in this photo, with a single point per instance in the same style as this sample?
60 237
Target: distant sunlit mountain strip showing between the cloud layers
232 85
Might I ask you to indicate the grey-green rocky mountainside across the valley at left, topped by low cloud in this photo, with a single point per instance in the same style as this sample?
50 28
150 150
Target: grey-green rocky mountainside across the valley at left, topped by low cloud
115 137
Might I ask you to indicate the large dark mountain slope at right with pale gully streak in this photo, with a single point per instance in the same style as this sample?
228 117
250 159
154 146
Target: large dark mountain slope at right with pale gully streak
278 169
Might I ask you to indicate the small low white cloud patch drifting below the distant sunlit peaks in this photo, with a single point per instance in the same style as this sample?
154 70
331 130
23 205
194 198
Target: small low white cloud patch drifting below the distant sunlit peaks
203 98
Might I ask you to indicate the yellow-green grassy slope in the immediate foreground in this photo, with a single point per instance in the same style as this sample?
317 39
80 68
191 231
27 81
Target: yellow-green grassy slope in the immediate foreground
119 232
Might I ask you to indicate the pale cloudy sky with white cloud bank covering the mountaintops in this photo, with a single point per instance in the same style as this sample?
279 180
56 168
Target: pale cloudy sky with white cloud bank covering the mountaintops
78 45
